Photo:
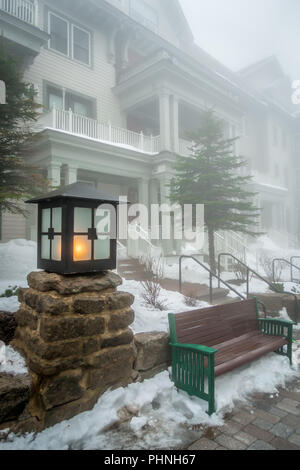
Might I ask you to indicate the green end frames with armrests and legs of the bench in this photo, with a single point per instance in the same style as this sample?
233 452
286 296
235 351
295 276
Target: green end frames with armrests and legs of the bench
192 364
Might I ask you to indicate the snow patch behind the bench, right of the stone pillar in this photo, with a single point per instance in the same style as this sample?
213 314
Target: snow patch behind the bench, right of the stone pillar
148 318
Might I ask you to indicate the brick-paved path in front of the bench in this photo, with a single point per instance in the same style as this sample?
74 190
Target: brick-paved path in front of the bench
268 423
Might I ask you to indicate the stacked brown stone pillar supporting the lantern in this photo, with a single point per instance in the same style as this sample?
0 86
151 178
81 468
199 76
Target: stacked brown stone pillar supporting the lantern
73 332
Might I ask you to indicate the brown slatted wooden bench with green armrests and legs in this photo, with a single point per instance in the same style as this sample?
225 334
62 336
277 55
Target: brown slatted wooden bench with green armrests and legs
209 342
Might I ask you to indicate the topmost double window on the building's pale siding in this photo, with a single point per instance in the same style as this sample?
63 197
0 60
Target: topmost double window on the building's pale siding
69 39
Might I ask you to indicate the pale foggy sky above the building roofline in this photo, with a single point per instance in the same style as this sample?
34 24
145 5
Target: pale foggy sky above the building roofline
241 32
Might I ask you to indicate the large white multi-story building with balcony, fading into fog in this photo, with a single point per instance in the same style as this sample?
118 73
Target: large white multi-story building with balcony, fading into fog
121 83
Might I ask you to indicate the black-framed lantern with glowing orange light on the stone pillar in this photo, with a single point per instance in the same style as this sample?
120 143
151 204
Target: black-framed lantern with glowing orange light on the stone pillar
76 230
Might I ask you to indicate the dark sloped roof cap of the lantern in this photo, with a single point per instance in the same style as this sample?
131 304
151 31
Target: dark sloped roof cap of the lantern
76 191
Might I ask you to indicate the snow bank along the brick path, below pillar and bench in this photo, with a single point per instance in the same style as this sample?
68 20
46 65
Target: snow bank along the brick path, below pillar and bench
159 416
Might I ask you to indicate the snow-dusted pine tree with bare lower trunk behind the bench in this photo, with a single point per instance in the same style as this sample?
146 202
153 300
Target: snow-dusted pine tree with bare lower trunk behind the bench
210 176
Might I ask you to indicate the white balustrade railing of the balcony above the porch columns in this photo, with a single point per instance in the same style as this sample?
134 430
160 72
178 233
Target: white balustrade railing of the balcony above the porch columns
77 124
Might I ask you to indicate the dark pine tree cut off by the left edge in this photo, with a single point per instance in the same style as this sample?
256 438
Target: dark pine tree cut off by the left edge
18 180
